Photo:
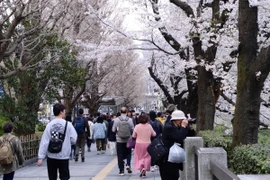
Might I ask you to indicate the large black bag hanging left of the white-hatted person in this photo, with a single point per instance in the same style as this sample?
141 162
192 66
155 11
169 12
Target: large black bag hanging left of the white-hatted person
158 151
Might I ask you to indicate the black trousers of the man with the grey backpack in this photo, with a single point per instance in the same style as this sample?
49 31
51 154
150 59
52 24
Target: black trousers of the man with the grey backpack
123 153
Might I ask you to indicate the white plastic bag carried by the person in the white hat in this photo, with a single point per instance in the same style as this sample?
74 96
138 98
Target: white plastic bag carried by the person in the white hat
176 154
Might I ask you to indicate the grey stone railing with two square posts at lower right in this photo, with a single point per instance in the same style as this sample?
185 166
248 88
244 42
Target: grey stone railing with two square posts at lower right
205 163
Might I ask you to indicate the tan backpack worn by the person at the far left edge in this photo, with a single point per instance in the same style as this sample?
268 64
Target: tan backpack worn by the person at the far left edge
6 153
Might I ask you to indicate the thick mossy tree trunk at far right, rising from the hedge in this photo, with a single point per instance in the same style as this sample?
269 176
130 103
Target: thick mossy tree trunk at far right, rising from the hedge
246 119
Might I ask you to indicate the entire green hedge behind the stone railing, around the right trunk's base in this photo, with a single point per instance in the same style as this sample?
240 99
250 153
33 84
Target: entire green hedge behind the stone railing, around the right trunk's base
246 159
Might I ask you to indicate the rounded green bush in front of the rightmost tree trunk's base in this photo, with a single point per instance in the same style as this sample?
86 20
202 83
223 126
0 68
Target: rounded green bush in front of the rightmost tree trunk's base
251 159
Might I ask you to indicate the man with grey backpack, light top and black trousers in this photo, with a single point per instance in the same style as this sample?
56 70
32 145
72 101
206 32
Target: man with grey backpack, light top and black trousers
123 127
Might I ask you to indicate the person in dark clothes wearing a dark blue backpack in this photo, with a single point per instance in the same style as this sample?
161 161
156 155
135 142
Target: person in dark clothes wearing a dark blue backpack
81 125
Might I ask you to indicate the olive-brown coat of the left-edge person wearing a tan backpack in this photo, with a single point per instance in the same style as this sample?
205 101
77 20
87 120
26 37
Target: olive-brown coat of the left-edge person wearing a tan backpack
18 155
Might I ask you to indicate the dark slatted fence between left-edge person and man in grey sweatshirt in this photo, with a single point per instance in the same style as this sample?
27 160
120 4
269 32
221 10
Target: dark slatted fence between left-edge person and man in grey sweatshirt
30 145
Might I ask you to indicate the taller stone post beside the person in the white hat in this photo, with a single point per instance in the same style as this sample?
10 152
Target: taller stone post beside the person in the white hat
188 172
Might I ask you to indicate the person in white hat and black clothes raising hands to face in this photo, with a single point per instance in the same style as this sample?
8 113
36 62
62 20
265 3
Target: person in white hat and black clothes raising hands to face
175 131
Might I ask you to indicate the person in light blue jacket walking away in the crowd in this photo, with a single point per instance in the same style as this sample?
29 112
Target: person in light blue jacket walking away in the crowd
99 130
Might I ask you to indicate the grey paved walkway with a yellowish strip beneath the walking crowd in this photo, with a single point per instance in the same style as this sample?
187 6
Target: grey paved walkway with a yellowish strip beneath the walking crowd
95 167
